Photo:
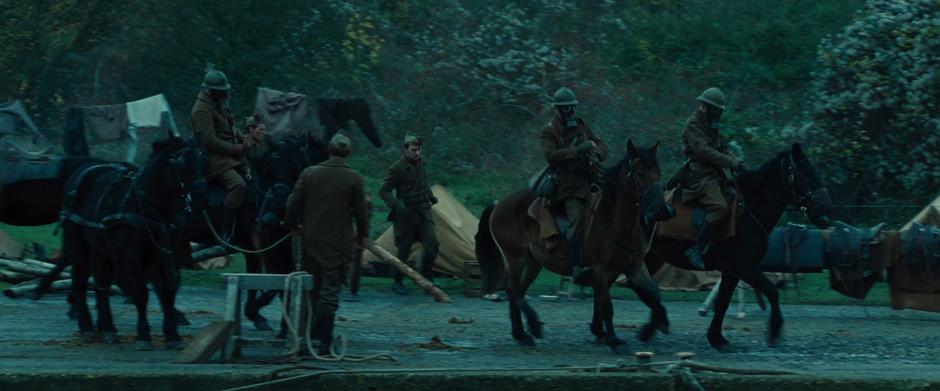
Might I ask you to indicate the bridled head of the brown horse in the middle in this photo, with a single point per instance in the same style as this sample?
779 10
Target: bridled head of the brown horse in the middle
640 173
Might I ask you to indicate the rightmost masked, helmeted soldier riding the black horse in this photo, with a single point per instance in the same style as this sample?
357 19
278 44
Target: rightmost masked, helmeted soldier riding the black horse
705 173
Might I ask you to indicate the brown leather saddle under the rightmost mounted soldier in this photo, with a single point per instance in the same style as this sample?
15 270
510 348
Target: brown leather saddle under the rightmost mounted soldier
681 226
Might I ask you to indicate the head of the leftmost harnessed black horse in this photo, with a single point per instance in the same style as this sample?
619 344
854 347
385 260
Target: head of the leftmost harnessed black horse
184 163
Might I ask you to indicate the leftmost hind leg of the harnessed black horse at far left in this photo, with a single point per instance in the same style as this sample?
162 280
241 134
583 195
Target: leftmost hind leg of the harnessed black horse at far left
76 251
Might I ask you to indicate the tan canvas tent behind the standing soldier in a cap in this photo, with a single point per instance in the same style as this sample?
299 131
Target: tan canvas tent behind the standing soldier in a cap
456 228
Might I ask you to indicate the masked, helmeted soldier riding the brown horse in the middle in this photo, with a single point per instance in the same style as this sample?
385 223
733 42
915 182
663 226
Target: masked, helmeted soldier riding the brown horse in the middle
573 153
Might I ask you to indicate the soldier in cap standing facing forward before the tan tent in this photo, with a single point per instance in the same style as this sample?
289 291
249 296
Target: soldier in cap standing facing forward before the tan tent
410 209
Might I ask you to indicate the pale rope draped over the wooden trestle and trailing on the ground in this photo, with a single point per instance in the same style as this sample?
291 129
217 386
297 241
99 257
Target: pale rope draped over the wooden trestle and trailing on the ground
334 356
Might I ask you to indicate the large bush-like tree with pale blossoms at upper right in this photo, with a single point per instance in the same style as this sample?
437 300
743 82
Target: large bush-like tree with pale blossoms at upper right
875 110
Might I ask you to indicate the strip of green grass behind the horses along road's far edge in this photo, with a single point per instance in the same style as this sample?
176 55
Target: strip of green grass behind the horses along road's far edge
813 288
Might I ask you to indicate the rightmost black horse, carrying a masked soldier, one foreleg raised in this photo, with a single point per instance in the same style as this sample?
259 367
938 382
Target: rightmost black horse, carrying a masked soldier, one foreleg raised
787 179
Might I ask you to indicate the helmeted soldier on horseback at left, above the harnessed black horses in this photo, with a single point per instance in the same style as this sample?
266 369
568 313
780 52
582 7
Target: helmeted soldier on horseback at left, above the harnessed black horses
214 125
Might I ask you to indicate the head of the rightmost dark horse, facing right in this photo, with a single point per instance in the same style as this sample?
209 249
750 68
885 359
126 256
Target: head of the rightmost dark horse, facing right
804 186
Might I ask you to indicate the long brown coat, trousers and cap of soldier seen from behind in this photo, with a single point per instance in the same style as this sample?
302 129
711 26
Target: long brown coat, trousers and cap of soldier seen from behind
331 197
